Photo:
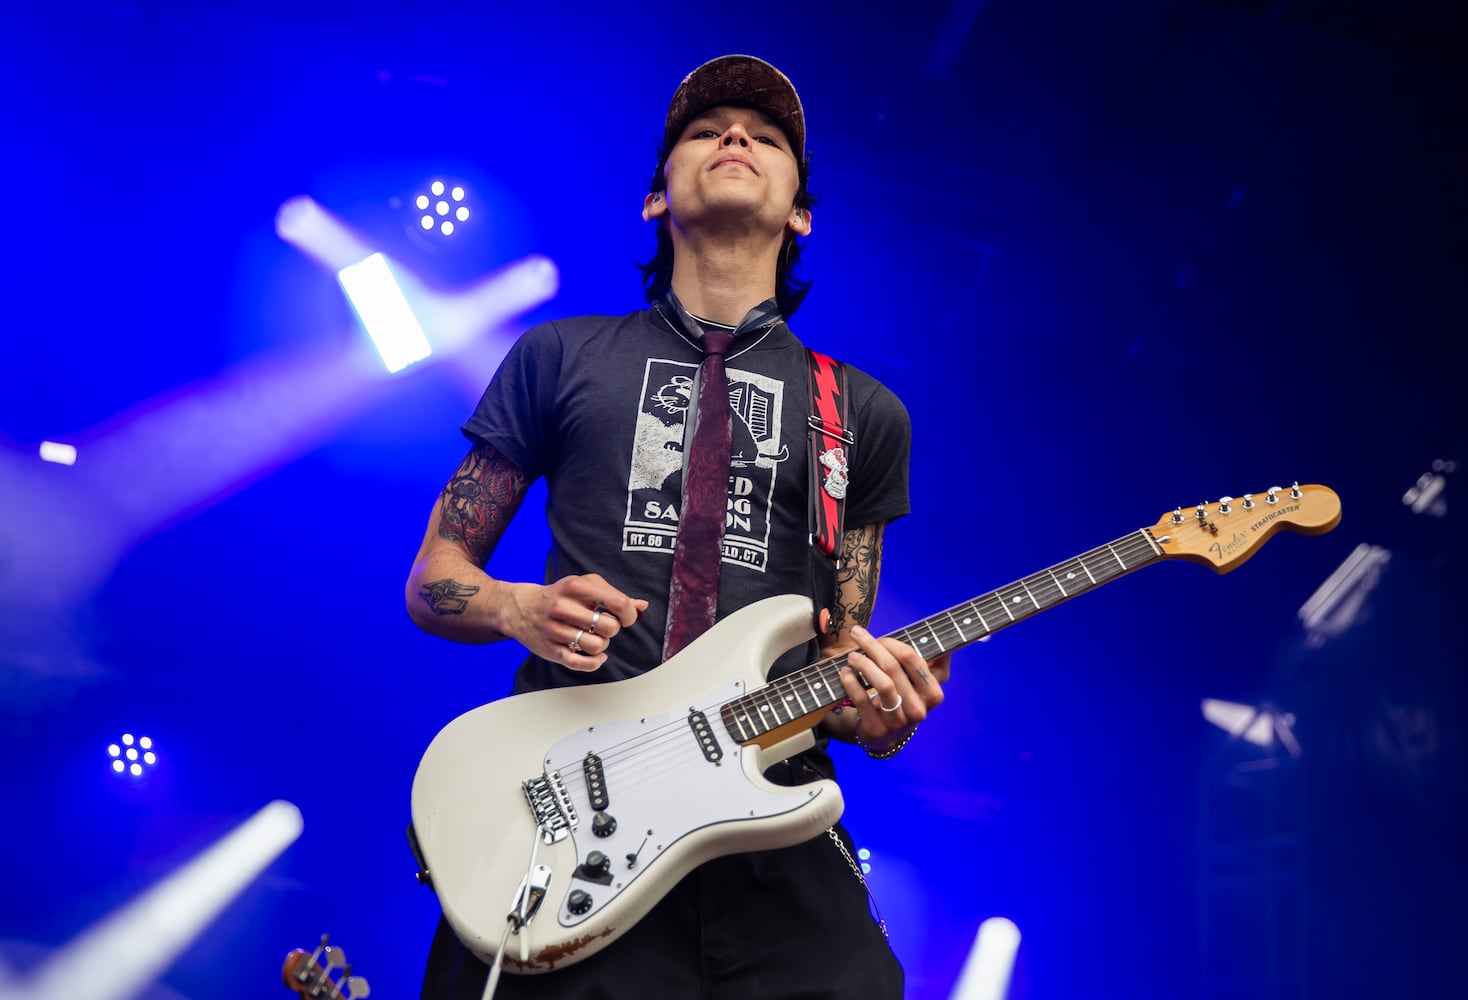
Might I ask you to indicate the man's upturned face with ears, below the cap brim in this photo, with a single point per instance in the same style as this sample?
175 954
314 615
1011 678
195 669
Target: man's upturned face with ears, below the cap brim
732 167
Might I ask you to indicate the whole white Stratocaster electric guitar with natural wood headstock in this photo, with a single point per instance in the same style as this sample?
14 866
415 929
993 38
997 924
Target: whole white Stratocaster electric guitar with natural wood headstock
554 822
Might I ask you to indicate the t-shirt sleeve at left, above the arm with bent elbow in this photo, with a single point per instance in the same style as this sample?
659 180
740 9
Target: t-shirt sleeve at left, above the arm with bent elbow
515 416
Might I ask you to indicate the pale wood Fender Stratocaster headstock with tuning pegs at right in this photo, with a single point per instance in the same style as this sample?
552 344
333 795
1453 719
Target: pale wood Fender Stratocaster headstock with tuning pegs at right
1228 532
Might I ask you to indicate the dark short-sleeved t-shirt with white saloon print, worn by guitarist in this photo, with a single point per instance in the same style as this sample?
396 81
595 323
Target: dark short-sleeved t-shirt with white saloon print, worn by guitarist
597 406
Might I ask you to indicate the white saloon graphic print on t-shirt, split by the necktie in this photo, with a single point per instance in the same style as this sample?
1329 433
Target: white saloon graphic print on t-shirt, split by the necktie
655 490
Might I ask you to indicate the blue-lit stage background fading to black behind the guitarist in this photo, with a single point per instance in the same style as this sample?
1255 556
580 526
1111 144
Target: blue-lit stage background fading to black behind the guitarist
1116 258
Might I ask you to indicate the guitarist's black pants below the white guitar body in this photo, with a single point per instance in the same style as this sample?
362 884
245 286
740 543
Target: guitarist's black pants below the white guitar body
789 924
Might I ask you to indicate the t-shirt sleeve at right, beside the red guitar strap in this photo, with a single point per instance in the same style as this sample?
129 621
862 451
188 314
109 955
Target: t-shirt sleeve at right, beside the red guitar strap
880 466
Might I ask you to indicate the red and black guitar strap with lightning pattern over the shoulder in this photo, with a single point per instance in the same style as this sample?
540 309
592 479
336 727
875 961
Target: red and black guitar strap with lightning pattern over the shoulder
832 443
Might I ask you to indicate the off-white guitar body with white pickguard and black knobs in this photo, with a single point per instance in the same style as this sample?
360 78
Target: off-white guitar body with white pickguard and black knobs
672 805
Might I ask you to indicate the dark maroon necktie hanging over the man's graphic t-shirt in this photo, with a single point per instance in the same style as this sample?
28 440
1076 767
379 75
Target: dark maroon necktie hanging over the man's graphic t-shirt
694 597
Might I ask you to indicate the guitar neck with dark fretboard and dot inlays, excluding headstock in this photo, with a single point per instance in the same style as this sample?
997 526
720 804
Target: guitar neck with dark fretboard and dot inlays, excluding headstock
799 700
